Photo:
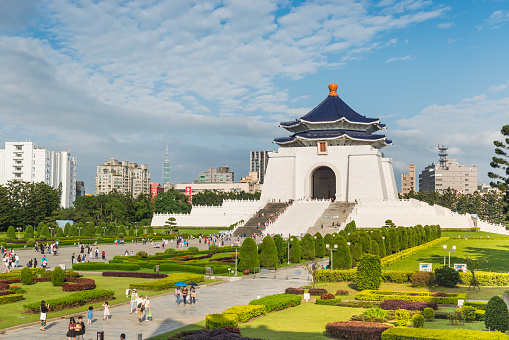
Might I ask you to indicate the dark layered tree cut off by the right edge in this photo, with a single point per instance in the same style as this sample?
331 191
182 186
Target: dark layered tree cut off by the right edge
500 162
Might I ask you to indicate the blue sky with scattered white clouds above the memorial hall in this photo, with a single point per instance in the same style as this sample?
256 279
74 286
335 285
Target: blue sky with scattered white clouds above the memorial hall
213 79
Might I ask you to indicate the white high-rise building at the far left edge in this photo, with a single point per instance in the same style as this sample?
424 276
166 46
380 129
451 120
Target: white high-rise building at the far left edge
24 161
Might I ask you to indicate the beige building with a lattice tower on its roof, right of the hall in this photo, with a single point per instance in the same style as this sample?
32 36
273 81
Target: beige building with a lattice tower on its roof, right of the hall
448 173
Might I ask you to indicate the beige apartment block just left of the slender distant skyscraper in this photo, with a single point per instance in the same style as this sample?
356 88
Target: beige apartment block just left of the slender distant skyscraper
123 176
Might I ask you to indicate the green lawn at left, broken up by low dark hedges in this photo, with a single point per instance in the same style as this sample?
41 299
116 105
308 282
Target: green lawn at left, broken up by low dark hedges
11 314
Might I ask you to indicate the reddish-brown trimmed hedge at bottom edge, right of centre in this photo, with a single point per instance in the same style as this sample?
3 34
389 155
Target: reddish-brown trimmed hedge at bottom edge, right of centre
356 330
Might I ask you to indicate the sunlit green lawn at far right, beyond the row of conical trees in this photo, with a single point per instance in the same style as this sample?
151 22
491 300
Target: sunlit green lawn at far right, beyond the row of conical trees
495 251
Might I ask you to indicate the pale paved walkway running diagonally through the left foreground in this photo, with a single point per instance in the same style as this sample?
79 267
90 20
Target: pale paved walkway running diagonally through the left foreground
167 315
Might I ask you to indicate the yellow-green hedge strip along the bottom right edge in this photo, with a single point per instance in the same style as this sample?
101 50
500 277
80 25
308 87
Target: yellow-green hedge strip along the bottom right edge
406 333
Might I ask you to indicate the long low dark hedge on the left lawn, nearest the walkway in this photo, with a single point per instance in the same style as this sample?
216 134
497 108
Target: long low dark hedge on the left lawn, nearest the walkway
72 300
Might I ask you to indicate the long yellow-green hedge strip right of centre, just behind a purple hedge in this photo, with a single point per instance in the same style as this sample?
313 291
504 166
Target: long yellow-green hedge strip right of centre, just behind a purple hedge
382 295
